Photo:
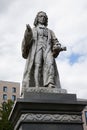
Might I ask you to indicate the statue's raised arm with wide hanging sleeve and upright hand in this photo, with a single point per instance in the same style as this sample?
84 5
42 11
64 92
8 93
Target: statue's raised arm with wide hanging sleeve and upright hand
27 41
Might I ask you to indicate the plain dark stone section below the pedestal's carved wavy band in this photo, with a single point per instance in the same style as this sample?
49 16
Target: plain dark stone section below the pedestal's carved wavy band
51 127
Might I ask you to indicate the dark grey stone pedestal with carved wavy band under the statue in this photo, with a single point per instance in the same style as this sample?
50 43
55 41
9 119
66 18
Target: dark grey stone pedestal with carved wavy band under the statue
47 111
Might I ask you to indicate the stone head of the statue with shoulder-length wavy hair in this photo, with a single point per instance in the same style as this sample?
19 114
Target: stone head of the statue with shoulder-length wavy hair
41 18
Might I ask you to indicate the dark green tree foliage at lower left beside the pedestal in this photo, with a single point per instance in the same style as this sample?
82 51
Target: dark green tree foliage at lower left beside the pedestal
5 110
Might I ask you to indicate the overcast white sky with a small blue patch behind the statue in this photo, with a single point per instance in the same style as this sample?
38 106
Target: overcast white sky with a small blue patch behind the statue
68 20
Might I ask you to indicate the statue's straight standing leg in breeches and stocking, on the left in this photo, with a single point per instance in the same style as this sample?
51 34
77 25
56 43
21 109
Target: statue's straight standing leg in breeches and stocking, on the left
38 68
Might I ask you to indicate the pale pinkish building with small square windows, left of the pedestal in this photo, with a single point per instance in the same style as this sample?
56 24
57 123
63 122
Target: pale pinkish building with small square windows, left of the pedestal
9 90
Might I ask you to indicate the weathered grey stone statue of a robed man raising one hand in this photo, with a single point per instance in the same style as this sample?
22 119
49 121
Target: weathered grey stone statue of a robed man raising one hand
40 47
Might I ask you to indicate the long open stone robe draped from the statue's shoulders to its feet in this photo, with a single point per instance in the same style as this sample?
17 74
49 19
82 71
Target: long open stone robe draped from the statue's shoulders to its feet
29 45
